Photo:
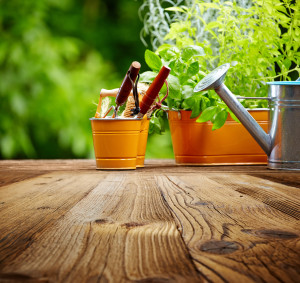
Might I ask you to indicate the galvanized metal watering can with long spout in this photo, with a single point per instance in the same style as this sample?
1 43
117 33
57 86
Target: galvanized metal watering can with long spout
282 144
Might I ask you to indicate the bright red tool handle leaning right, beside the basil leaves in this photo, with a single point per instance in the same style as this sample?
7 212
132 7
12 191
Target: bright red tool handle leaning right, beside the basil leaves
153 90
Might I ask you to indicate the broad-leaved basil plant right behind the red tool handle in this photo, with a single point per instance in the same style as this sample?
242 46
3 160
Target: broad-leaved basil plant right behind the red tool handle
186 66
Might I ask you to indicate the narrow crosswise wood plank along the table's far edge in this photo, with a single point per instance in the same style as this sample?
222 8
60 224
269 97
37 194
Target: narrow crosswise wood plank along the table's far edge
152 166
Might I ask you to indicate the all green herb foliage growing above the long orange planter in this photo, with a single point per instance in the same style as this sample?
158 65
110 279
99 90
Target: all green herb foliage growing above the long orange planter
261 43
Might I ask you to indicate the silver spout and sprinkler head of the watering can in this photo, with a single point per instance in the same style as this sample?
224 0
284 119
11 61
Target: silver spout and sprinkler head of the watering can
214 80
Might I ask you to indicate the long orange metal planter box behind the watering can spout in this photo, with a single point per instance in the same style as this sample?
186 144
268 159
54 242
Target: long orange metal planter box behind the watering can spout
196 144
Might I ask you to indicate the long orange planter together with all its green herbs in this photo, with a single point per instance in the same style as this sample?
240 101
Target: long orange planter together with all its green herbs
251 40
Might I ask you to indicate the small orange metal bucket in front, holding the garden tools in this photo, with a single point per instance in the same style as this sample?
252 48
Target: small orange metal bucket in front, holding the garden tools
116 142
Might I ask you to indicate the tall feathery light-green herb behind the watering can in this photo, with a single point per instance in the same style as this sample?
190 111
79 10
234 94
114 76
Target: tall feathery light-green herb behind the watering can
261 41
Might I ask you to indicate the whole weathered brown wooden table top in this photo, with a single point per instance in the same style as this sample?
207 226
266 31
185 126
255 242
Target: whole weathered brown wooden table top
64 221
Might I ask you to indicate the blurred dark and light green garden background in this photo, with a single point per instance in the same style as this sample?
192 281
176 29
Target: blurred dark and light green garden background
55 56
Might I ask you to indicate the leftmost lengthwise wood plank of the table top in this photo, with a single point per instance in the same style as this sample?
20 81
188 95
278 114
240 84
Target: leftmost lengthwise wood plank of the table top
30 207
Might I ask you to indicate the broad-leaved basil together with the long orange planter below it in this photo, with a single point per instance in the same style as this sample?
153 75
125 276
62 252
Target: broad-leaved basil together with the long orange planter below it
194 117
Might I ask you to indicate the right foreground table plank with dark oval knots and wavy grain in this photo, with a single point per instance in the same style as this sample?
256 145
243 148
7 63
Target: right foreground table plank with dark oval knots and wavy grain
231 236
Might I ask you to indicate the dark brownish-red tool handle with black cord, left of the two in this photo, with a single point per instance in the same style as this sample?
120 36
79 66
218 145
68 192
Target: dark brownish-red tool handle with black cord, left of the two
126 85
